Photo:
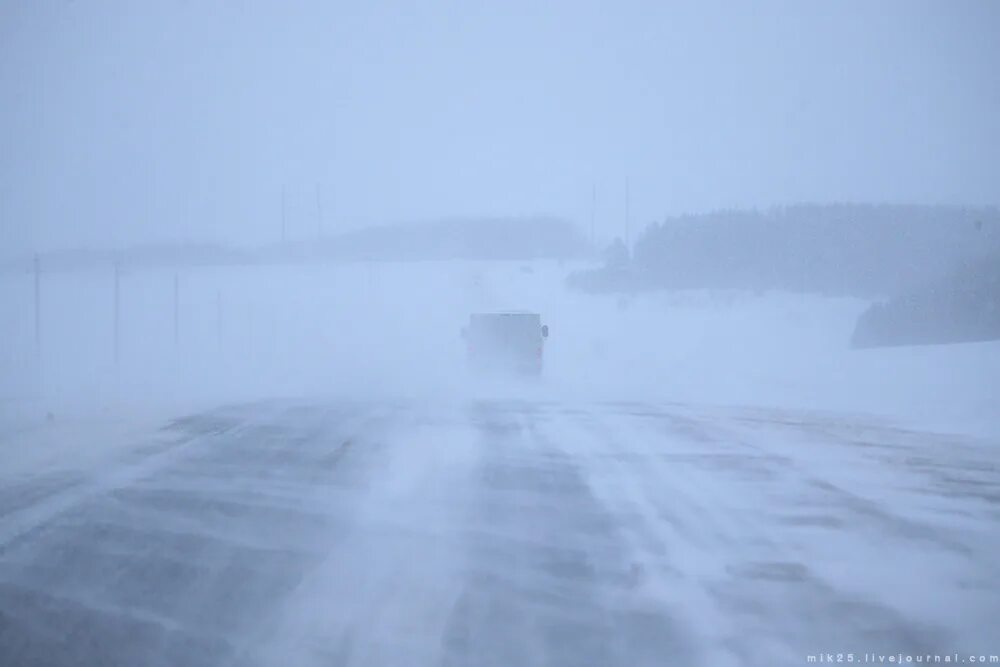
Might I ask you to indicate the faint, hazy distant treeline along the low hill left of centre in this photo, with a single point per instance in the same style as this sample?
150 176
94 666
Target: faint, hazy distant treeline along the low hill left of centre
494 238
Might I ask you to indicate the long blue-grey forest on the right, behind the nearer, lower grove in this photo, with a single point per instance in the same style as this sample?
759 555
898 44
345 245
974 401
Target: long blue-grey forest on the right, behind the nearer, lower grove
840 249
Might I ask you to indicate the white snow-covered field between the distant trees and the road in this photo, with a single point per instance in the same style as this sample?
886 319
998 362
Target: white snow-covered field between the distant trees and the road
393 330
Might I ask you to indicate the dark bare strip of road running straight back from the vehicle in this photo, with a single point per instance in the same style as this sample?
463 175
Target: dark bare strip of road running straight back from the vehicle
552 582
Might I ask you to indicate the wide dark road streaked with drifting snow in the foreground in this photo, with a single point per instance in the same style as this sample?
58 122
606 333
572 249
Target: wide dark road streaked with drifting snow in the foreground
505 533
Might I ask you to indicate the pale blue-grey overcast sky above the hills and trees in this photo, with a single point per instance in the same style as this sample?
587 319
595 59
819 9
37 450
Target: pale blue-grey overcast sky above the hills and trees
132 122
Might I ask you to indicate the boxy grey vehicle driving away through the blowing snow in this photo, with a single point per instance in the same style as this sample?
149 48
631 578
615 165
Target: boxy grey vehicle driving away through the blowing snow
507 342
